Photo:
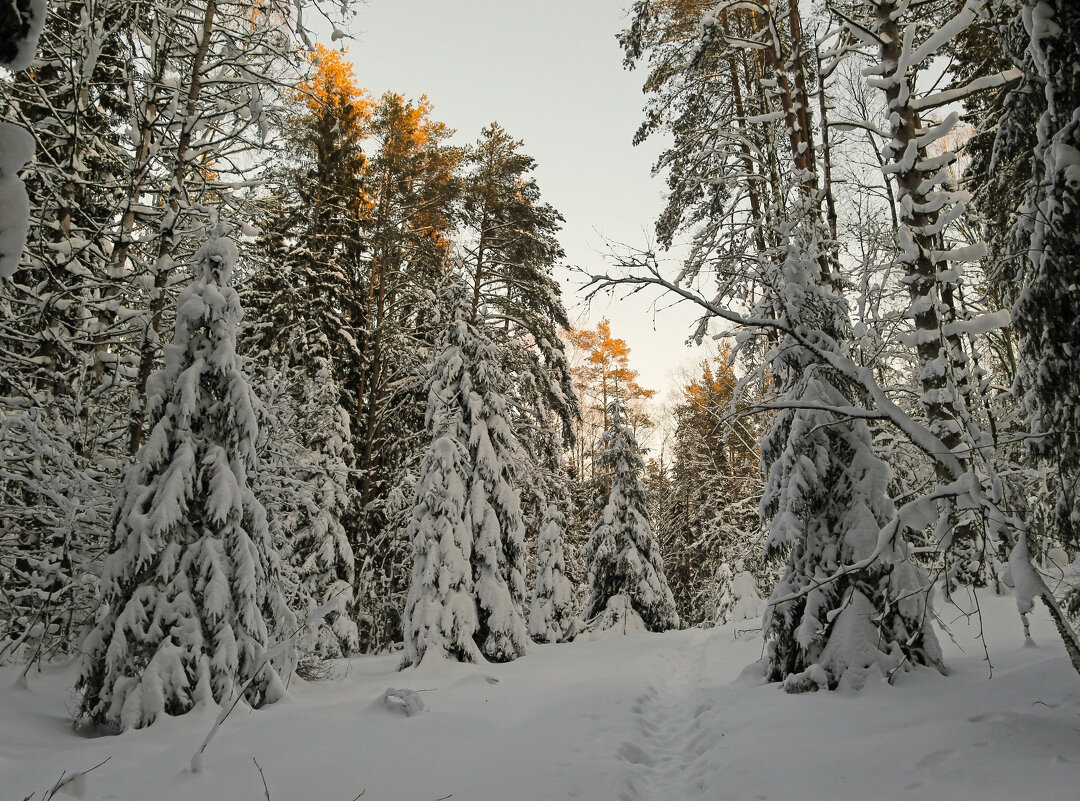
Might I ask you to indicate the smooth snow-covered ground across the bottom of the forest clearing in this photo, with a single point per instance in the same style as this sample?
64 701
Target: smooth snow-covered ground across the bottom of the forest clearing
629 718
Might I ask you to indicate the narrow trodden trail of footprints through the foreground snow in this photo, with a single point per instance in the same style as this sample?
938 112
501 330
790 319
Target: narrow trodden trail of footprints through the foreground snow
671 755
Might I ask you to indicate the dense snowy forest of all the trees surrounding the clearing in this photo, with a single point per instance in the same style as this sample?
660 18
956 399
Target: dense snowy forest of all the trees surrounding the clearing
401 439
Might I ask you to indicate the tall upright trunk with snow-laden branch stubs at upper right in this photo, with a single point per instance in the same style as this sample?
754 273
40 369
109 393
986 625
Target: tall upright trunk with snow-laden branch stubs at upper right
933 269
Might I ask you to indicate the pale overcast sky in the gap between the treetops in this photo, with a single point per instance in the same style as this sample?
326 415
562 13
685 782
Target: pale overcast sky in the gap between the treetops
551 74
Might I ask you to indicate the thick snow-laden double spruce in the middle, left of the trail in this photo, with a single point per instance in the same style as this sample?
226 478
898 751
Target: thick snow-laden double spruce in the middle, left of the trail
468 585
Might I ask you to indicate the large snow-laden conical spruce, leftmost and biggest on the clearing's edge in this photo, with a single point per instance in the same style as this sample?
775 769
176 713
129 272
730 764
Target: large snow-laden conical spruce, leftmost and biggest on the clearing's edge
190 596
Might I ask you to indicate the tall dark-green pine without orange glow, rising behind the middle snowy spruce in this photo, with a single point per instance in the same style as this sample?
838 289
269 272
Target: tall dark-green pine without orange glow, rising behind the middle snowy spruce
508 250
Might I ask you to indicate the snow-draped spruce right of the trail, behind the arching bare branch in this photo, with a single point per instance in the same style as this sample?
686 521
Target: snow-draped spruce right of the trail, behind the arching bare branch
849 598
